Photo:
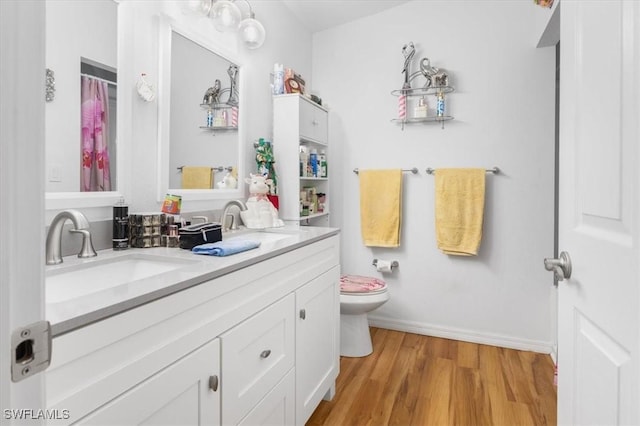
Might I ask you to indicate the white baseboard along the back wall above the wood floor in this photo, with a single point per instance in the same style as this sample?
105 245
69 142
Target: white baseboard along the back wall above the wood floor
463 335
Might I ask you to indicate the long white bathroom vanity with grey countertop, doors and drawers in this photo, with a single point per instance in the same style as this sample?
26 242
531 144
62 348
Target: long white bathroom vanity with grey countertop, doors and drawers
251 338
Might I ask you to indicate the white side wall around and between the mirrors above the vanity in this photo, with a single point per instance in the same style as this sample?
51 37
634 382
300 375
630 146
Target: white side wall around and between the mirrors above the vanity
287 42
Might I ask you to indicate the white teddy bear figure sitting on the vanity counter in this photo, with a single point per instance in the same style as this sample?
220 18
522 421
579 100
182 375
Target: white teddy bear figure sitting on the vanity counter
260 212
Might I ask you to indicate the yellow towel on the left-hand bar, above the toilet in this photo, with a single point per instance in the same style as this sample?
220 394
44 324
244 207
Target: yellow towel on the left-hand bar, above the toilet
380 207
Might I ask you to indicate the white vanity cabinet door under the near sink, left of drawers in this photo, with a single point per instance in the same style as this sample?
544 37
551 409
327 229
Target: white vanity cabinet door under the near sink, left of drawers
178 395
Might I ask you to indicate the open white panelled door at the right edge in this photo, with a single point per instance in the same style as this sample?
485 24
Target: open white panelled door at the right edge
599 321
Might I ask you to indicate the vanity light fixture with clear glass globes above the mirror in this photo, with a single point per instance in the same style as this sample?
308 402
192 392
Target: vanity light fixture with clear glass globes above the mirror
227 17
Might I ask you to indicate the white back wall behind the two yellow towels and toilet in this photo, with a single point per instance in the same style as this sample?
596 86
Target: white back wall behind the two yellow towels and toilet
504 116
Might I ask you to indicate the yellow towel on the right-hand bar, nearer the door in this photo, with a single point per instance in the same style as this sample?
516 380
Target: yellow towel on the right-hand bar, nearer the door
459 208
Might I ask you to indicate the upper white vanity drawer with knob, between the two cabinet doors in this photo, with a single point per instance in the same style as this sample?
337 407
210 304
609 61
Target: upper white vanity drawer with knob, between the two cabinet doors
256 355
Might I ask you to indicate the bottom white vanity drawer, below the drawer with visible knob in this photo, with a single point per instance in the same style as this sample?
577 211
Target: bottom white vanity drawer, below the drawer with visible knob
277 408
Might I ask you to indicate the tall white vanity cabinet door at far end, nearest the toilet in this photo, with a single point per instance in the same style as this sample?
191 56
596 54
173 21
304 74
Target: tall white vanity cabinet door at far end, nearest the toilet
317 341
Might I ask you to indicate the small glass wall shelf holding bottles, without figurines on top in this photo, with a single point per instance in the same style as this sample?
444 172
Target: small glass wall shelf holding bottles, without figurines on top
419 111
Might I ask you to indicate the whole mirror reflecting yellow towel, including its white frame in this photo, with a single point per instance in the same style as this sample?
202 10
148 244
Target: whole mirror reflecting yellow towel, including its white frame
200 120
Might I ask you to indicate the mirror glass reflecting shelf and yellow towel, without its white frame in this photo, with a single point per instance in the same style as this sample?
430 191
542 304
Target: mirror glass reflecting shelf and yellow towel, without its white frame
204 117
